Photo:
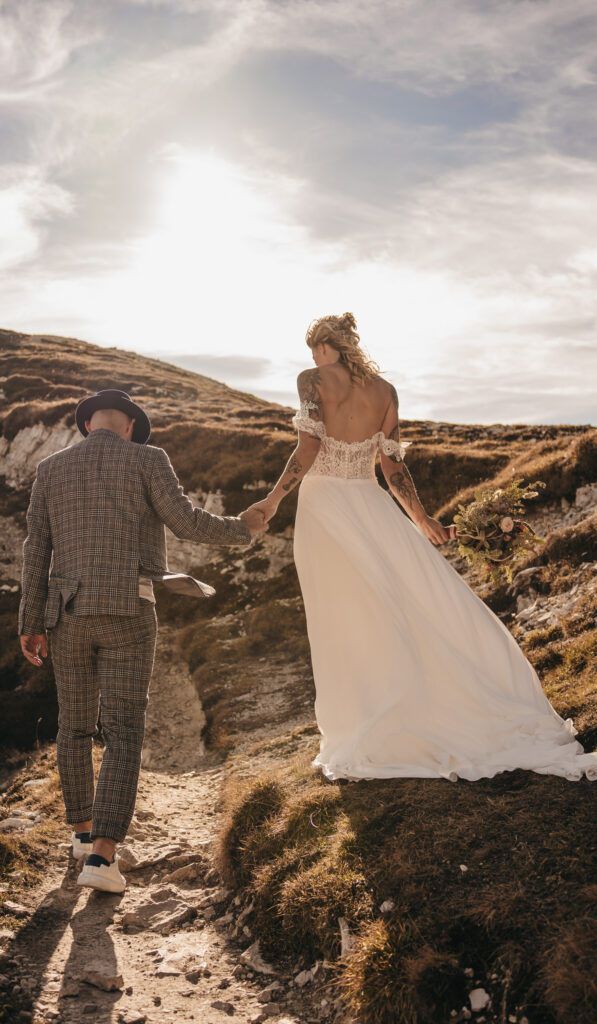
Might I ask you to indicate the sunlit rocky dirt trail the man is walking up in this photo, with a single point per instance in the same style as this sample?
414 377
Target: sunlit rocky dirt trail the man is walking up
167 948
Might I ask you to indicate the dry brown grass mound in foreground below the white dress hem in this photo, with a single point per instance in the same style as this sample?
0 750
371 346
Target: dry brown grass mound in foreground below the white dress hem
319 851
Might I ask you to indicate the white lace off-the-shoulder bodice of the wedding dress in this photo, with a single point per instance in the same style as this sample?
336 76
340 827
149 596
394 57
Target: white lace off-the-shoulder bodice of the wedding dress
351 460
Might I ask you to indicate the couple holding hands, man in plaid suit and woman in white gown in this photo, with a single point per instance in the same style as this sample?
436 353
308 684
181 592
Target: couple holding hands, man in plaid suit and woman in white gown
414 675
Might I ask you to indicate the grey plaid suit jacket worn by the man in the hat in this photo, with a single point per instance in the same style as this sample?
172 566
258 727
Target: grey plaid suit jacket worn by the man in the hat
96 520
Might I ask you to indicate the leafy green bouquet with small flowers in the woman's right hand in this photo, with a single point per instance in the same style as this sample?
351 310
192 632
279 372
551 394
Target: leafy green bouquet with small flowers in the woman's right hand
491 534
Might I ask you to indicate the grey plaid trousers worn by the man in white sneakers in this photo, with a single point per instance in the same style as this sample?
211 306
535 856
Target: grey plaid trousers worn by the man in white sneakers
103 663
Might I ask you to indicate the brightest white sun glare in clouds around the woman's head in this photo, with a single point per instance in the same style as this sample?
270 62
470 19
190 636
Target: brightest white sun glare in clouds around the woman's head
223 269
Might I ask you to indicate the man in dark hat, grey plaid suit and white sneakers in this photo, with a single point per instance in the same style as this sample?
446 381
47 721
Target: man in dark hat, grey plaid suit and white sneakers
96 542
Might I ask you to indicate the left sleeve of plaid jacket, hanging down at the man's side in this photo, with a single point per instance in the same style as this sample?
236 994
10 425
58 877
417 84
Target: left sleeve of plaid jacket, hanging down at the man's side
37 554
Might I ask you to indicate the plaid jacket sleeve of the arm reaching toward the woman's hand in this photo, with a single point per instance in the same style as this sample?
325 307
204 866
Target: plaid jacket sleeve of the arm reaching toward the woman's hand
183 518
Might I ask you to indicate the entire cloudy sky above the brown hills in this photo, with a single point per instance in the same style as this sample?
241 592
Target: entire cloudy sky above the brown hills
199 180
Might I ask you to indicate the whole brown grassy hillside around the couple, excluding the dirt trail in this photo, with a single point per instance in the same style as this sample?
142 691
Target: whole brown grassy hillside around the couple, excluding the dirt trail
491 884
